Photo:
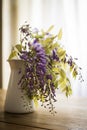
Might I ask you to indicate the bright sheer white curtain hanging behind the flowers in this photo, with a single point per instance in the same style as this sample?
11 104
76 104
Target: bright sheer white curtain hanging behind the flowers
68 14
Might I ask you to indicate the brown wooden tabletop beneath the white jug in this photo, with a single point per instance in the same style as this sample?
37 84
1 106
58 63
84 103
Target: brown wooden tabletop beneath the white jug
71 115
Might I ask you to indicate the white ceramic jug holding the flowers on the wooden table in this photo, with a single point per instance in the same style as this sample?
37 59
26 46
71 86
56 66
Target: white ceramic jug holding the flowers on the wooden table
16 101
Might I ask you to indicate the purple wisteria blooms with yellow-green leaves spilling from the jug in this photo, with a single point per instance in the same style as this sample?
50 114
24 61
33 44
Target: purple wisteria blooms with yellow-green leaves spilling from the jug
46 65
